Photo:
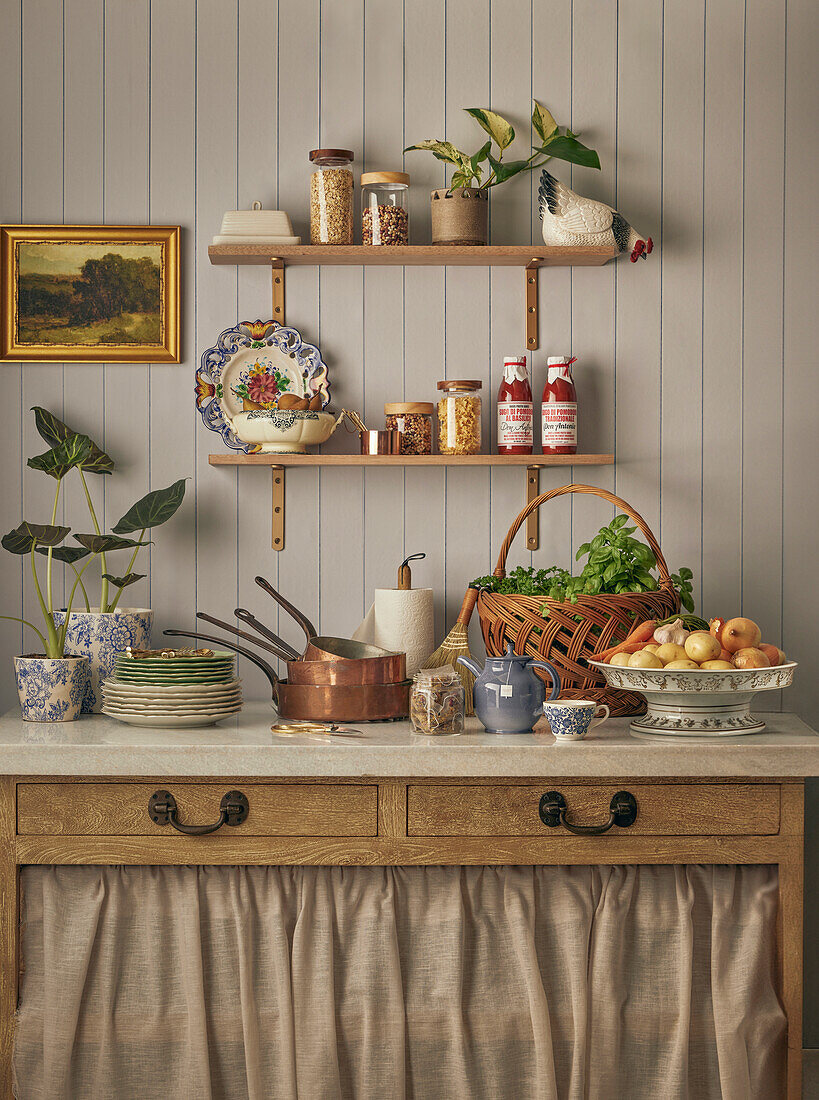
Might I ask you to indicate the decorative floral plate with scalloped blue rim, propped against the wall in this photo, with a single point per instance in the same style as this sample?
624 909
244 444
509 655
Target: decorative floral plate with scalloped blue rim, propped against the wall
249 368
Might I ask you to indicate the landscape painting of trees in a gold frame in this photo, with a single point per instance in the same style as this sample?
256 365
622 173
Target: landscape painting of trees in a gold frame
91 294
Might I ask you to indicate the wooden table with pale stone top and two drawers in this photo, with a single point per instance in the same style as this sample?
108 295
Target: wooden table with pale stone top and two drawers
80 794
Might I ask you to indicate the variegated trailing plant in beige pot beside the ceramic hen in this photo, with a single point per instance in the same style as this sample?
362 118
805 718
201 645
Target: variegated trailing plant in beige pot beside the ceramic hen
460 213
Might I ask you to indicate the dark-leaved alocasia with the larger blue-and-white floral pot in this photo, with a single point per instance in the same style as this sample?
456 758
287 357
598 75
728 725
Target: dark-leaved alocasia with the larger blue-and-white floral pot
104 629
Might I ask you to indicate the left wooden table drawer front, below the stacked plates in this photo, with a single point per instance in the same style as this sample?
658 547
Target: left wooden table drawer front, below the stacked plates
123 809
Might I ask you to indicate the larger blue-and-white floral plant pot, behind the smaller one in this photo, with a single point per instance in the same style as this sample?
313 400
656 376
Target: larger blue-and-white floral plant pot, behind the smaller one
101 639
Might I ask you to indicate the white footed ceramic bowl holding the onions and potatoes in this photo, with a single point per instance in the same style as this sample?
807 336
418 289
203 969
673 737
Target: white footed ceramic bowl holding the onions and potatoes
695 702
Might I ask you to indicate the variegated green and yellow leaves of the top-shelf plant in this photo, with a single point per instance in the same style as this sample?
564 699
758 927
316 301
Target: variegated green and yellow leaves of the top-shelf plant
486 169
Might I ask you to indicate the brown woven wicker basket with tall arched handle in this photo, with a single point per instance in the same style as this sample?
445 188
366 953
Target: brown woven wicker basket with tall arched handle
572 633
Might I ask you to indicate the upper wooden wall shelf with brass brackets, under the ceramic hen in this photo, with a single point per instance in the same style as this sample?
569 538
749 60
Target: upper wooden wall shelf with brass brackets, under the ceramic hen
529 258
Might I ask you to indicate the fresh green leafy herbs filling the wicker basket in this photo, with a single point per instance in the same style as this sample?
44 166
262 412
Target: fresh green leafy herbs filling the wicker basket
616 563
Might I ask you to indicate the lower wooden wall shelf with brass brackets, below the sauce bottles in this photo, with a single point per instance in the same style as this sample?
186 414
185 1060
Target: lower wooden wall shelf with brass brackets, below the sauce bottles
532 464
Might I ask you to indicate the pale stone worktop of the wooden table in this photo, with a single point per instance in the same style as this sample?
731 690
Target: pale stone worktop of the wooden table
245 746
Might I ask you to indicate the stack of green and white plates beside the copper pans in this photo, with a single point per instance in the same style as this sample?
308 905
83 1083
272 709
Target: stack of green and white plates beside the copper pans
182 692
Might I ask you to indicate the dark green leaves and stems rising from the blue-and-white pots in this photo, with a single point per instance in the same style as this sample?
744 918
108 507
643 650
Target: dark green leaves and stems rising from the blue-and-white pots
71 450
